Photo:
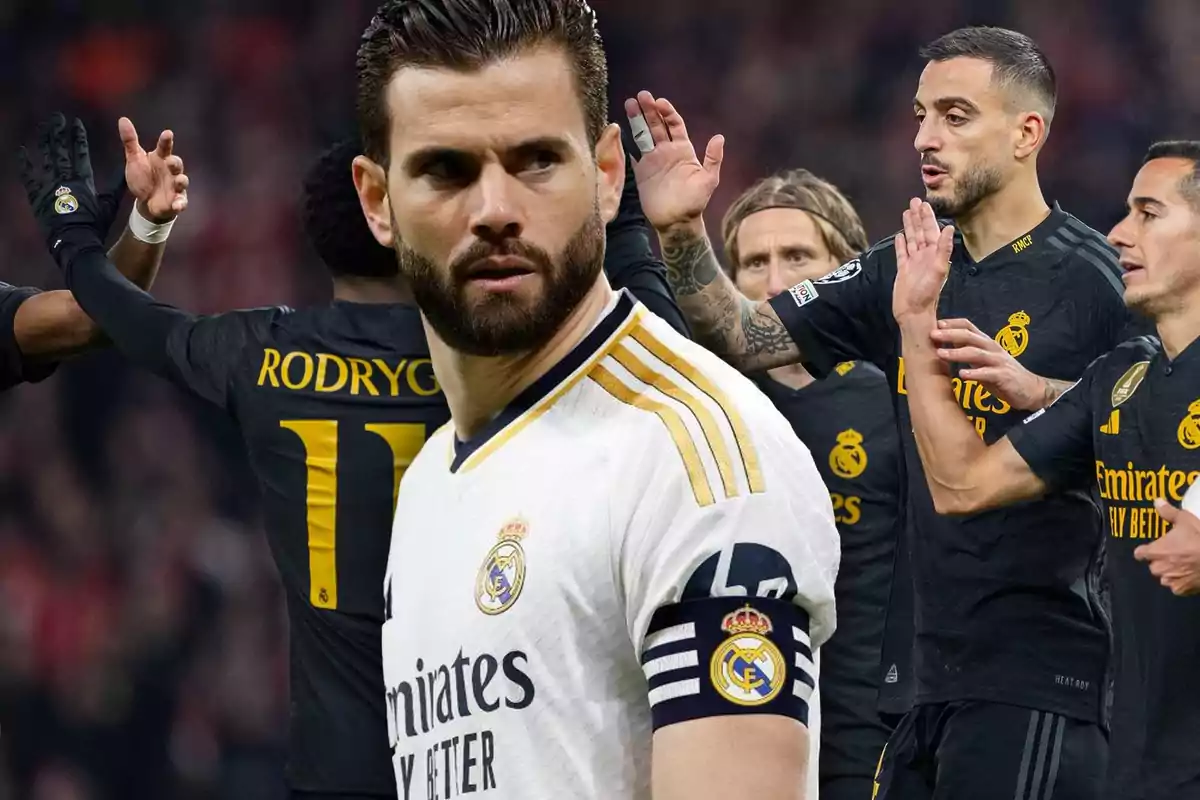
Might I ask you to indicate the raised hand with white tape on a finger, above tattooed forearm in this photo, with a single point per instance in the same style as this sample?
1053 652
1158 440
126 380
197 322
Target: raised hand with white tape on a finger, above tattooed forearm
674 184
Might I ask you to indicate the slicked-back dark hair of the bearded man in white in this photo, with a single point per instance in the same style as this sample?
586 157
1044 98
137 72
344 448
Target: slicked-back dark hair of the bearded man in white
469 35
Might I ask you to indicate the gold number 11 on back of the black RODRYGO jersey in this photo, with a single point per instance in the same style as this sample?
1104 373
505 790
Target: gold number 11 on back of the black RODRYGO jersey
320 438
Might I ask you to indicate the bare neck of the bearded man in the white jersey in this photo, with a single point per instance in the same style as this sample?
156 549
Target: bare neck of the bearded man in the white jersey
478 388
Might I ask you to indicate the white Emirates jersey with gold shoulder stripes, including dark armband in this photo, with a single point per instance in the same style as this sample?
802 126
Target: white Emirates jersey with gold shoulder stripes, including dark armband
638 542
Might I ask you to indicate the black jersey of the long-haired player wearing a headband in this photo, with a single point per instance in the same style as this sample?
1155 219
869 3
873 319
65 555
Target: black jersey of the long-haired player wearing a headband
848 424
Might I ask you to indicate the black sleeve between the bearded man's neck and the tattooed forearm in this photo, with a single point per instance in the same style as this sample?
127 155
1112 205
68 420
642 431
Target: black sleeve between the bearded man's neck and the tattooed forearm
629 261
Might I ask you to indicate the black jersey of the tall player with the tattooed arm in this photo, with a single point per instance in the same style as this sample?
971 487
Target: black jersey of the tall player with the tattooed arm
1006 603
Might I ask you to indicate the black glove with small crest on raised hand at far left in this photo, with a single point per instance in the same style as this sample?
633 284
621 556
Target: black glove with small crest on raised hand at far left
70 213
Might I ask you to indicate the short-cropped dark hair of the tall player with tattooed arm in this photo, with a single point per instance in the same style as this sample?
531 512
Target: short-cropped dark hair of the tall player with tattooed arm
1016 61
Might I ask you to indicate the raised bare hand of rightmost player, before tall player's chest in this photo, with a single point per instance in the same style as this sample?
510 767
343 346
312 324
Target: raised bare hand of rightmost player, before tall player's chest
923 261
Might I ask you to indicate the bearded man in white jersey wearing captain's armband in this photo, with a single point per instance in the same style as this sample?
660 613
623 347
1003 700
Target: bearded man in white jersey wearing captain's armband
610 575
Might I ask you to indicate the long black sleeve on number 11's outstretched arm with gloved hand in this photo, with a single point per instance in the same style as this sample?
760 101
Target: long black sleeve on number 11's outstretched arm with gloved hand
196 353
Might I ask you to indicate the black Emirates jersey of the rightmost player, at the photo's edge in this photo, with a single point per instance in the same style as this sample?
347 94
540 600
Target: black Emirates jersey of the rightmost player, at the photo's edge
1132 429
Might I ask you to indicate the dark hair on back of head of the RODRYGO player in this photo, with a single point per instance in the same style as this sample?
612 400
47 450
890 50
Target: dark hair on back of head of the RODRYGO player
333 219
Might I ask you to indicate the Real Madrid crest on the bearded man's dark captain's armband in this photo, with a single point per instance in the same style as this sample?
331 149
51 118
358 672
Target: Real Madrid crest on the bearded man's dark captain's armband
748 669
